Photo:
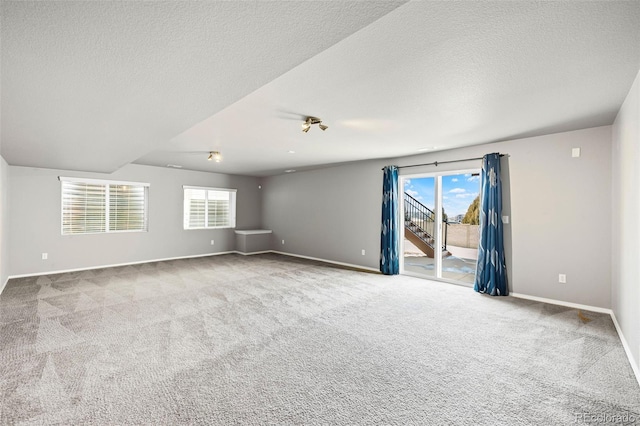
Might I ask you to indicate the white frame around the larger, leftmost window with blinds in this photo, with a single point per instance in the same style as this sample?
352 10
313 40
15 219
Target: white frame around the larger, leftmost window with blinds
106 183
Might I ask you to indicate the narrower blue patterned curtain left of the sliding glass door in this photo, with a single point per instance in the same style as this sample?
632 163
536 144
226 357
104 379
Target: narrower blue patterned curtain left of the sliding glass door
389 239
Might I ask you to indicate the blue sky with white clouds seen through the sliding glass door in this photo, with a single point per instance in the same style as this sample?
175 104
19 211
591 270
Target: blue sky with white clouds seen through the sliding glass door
458 191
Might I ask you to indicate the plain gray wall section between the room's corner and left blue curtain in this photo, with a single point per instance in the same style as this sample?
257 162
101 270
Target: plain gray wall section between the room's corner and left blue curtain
331 213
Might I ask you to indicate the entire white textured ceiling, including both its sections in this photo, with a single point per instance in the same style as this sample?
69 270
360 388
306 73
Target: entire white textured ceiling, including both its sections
97 85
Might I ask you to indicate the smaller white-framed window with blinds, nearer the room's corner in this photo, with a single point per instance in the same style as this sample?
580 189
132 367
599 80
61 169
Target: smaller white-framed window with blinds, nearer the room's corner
209 208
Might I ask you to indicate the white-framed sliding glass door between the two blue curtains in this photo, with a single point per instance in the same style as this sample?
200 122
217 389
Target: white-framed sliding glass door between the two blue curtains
440 238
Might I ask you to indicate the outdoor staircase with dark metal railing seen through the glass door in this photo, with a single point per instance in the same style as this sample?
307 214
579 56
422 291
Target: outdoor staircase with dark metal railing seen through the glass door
419 226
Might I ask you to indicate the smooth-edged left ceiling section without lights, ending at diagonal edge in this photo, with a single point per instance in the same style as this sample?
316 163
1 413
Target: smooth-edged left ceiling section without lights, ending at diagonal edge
95 85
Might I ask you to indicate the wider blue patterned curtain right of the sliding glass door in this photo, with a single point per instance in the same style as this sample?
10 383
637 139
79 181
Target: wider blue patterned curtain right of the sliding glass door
491 273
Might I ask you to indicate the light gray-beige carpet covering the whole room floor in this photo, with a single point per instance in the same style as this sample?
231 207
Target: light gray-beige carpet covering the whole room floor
270 339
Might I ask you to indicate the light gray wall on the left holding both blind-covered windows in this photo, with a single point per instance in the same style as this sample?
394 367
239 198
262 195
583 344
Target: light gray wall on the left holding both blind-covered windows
35 209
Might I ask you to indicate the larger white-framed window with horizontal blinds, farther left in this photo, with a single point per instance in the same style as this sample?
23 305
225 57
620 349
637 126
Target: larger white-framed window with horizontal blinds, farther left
92 206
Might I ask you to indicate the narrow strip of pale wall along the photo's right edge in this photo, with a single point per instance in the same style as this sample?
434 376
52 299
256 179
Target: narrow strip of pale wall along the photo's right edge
625 289
